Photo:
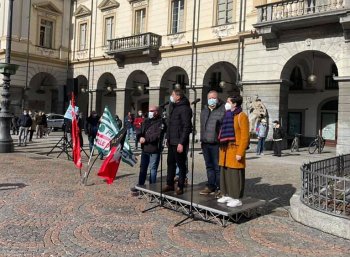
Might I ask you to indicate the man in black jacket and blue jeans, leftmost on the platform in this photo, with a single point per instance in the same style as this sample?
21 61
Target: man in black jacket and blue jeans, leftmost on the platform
151 138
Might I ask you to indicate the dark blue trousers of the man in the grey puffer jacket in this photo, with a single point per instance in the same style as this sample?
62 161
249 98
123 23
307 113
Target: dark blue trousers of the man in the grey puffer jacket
211 157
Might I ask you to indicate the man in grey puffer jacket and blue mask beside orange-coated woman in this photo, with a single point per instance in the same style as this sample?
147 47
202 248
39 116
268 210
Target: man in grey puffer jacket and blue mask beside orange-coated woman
211 120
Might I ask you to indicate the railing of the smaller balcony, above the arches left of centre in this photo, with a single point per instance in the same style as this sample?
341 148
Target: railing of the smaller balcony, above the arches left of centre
137 42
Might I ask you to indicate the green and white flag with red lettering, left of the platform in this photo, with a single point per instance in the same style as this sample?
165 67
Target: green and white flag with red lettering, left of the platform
107 130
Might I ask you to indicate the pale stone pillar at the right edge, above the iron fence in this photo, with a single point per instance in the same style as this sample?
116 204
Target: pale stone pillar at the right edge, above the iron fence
343 140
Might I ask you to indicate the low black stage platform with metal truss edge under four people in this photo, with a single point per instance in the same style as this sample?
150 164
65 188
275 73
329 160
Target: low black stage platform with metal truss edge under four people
204 207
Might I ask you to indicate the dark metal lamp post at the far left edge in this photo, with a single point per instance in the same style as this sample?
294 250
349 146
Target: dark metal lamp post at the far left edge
7 69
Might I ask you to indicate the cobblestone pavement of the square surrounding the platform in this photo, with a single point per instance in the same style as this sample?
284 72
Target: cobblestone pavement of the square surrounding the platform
44 211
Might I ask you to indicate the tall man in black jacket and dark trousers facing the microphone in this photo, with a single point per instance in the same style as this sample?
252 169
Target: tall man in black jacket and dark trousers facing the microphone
178 132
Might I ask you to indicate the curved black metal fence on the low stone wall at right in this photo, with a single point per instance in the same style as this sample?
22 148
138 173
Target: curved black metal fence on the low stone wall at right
325 185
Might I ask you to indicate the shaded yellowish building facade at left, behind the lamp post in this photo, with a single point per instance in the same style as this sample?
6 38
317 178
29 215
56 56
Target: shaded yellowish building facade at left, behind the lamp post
40 46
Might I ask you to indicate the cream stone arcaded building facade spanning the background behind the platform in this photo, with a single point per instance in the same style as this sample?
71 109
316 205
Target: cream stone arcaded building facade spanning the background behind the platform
127 54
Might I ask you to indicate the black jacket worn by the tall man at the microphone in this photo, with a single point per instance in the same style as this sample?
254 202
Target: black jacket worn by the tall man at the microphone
179 123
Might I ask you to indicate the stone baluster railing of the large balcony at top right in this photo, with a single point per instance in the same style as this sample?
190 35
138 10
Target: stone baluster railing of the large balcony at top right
297 8
